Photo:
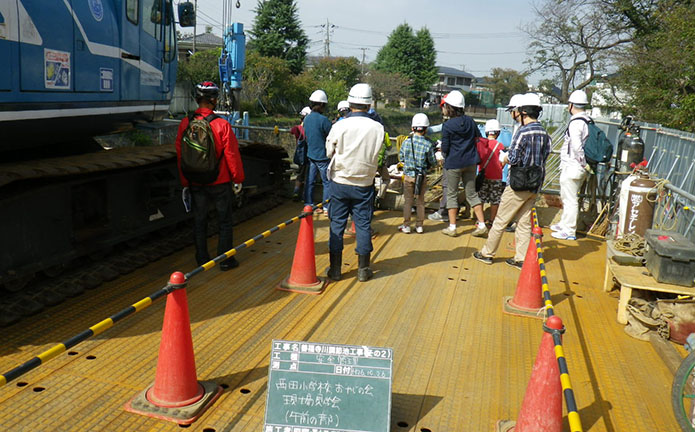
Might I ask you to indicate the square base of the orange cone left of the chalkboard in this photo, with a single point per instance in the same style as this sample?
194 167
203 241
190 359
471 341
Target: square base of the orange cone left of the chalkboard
182 415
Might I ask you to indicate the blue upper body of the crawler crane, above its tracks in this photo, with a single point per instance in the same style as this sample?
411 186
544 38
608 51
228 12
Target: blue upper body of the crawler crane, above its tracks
83 67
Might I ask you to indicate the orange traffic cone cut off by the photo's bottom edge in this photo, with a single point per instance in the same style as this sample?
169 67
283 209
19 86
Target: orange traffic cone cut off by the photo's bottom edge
541 409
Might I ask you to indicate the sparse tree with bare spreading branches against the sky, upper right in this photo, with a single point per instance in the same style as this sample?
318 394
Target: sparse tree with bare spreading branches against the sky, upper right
576 40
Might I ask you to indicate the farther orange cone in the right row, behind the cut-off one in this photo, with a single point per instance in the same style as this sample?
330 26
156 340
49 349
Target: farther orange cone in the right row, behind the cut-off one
528 299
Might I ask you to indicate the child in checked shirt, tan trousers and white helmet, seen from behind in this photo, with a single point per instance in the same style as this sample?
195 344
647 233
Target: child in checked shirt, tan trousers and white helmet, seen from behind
417 154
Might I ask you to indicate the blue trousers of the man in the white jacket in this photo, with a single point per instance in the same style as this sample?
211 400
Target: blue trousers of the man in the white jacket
355 200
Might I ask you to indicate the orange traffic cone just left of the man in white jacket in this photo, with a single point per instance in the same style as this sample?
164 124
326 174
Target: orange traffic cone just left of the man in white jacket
302 278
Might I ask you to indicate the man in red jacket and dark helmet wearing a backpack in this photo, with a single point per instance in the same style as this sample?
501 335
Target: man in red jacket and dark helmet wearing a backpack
220 191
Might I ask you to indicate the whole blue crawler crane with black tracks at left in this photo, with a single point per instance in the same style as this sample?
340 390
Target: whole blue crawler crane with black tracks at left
70 210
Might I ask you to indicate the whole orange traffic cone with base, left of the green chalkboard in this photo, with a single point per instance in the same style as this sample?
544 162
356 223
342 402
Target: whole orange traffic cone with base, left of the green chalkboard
176 394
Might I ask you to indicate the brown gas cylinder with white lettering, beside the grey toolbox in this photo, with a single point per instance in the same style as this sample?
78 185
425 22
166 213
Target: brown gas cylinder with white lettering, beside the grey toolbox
637 198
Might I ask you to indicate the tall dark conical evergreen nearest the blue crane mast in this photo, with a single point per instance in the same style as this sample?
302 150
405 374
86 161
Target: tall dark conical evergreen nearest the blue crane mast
277 32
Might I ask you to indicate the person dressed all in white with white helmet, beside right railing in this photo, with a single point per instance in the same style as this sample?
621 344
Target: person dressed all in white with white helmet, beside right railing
573 166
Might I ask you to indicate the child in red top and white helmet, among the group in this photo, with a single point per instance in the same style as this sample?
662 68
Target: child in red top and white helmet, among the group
489 150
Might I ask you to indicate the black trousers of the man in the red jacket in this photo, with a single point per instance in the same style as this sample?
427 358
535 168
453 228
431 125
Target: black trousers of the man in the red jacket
201 197
